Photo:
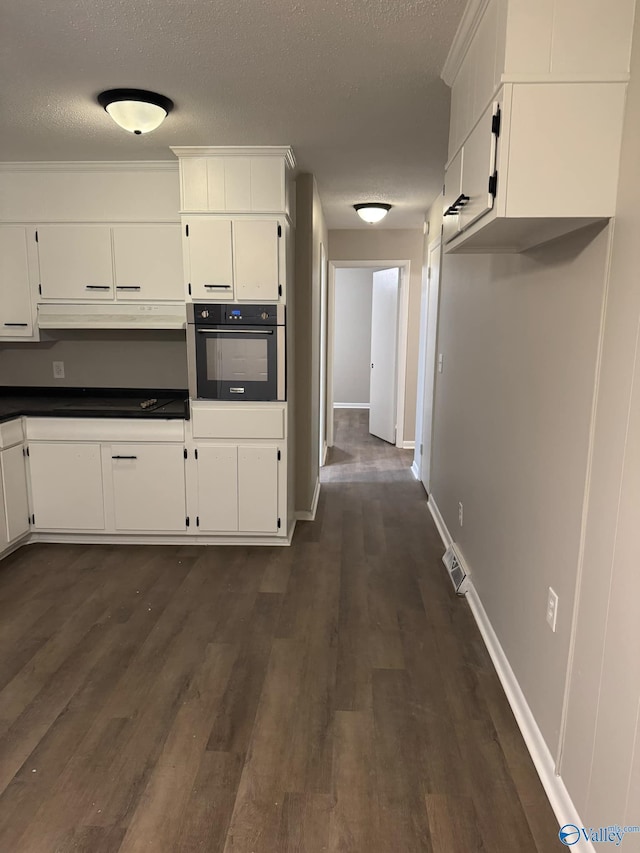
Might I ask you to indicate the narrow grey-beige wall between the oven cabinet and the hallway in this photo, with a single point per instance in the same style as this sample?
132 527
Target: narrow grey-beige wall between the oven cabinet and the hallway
311 234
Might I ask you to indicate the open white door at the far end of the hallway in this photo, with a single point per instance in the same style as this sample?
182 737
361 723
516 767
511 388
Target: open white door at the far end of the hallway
384 354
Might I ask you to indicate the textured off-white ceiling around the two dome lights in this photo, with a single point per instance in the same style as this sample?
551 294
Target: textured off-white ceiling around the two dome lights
352 85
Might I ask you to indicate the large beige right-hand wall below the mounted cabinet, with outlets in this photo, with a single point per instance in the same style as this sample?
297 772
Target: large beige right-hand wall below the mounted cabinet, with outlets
535 344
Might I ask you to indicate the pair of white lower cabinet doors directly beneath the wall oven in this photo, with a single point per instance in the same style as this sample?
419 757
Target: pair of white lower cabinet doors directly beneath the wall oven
237 488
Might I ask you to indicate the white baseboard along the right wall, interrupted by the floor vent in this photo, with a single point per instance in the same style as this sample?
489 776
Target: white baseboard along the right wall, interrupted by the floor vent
555 789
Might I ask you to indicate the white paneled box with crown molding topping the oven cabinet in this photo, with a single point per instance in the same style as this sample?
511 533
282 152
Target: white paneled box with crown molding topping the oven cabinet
234 180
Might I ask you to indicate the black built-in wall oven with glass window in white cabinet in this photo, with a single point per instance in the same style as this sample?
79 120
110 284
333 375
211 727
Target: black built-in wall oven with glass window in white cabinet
236 352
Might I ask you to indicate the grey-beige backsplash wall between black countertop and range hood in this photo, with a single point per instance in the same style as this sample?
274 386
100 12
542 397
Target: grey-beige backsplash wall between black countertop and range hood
115 359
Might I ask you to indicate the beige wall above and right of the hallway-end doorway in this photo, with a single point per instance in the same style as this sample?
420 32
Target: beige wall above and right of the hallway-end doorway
375 244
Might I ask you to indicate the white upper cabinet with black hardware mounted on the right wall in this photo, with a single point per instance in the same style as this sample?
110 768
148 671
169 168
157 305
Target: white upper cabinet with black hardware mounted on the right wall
536 123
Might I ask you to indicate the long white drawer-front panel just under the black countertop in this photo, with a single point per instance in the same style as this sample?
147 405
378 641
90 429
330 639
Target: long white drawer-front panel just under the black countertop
103 429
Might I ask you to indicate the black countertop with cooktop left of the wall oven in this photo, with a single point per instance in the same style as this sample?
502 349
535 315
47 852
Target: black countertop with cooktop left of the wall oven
93 403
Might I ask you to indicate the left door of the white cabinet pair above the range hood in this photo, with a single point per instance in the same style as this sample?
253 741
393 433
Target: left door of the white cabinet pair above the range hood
75 262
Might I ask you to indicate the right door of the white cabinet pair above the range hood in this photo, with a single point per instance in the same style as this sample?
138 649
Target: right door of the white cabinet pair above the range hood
148 262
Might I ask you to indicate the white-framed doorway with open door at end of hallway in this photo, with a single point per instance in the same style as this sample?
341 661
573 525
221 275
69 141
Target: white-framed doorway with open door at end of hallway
353 309
